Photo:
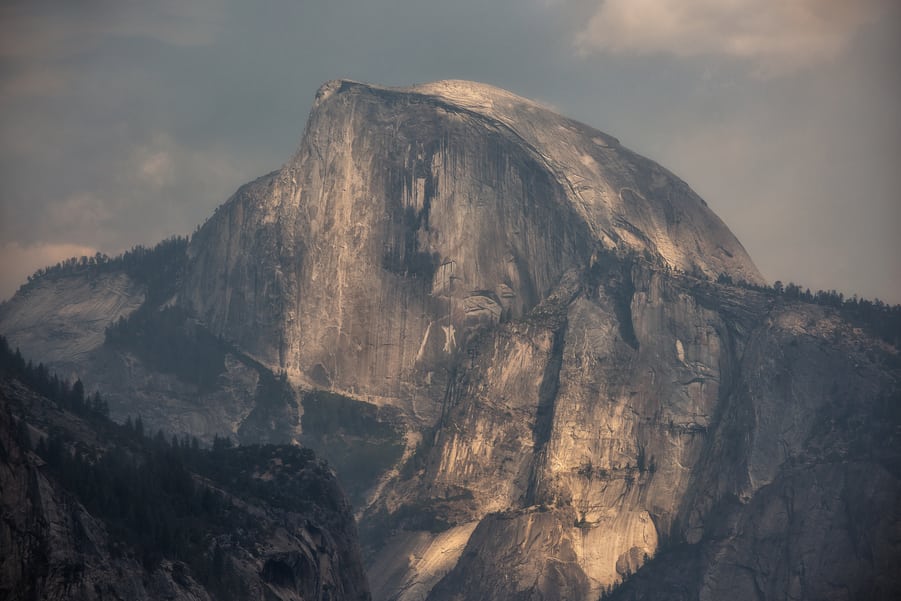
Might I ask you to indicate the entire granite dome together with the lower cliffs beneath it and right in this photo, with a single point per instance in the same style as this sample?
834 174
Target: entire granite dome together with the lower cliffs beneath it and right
583 404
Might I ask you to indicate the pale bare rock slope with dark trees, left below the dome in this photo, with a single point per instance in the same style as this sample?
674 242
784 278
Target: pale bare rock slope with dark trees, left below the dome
62 321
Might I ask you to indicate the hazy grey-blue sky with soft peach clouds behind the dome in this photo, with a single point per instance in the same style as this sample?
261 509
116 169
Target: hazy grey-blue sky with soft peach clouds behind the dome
125 122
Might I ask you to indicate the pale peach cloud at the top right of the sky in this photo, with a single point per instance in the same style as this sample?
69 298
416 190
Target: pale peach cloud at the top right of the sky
775 36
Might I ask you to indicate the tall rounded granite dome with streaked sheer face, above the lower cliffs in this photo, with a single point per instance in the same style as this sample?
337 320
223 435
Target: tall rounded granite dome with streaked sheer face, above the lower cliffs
410 219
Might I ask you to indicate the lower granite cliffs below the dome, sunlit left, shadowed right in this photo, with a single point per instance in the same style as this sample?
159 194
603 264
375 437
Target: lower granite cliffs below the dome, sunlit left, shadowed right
634 414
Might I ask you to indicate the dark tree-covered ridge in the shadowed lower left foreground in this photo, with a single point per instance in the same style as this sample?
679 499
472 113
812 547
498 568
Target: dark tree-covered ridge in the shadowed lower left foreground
93 509
